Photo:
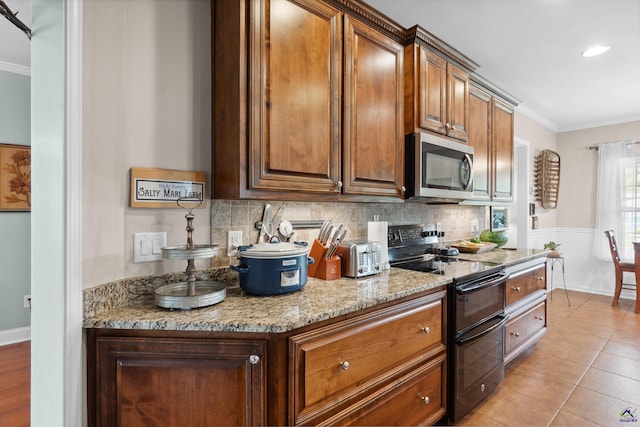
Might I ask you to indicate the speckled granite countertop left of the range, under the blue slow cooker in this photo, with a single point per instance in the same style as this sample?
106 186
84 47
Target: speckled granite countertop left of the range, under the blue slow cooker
318 300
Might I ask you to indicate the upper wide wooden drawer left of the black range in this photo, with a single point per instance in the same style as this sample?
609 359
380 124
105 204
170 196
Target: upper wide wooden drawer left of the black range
343 361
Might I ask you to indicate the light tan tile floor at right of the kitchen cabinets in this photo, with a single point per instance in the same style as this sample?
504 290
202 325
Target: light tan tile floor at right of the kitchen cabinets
585 371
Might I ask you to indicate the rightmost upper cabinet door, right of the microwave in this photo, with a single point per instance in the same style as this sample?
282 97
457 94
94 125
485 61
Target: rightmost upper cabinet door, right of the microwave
502 135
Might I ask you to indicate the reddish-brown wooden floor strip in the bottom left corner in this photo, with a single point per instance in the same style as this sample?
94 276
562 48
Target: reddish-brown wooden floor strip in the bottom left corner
15 384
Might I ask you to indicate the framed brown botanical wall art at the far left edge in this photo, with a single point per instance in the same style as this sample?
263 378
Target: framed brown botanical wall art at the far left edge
15 177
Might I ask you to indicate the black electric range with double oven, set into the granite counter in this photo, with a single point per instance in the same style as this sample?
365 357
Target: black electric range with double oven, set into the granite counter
475 314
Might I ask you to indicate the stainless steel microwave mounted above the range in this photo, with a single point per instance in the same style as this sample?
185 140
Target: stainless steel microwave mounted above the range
438 170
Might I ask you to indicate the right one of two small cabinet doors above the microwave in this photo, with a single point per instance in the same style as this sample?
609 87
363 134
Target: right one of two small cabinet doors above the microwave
457 103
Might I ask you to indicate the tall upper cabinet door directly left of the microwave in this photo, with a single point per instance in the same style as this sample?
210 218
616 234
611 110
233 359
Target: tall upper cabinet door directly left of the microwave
373 138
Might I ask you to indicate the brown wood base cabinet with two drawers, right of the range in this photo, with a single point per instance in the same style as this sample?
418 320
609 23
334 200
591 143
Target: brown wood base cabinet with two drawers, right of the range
526 306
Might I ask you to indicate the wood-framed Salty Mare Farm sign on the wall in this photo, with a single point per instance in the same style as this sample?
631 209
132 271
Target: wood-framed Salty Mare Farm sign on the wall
161 188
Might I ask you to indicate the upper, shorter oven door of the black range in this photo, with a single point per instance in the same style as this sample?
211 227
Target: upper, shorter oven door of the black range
478 300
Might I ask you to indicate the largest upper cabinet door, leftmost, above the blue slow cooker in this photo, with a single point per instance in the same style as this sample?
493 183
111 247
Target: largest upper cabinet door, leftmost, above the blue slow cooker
295 77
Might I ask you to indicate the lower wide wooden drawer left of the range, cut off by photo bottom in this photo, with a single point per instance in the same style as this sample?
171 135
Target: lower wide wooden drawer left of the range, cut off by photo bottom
418 398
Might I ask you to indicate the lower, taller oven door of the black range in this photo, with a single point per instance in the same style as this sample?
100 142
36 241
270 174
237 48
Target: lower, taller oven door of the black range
479 367
